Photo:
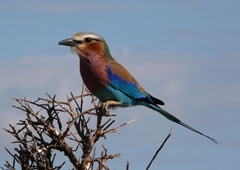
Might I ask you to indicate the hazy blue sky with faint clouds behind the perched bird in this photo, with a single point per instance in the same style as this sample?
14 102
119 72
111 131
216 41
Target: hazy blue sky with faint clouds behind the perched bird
185 52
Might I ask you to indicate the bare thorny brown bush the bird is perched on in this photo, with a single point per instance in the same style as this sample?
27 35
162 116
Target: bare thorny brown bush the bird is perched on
52 125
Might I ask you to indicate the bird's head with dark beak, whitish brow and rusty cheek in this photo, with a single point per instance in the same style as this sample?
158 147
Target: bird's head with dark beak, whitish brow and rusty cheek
84 43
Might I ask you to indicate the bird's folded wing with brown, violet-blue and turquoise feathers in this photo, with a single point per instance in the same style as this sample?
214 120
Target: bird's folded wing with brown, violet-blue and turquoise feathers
122 87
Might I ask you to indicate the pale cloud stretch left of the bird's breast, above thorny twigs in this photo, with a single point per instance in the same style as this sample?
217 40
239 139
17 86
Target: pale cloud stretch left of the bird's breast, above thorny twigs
39 73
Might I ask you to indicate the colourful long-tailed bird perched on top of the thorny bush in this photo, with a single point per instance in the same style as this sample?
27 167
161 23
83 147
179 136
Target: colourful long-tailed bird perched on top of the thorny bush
109 81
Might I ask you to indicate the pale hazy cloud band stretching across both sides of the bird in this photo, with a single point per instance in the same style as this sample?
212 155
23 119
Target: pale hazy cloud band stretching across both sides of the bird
172 79
